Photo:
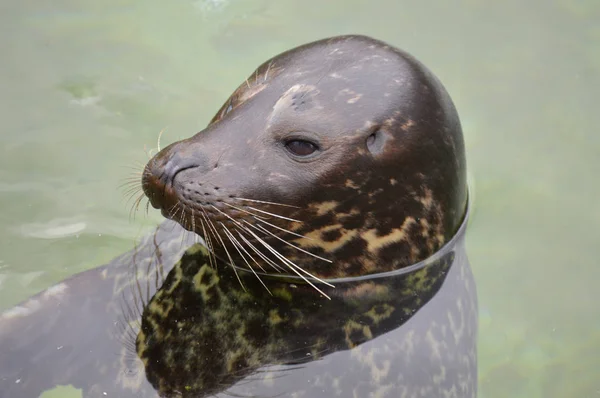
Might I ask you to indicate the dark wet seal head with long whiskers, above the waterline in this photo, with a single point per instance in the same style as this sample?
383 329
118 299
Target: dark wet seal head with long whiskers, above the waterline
342 157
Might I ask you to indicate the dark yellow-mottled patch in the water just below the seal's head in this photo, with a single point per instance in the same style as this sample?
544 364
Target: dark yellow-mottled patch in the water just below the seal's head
198 305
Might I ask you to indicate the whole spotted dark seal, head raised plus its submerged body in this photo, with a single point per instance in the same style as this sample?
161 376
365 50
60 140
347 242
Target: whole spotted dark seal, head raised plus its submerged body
329 196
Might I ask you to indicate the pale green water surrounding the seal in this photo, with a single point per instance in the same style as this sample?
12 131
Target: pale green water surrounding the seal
87 86
